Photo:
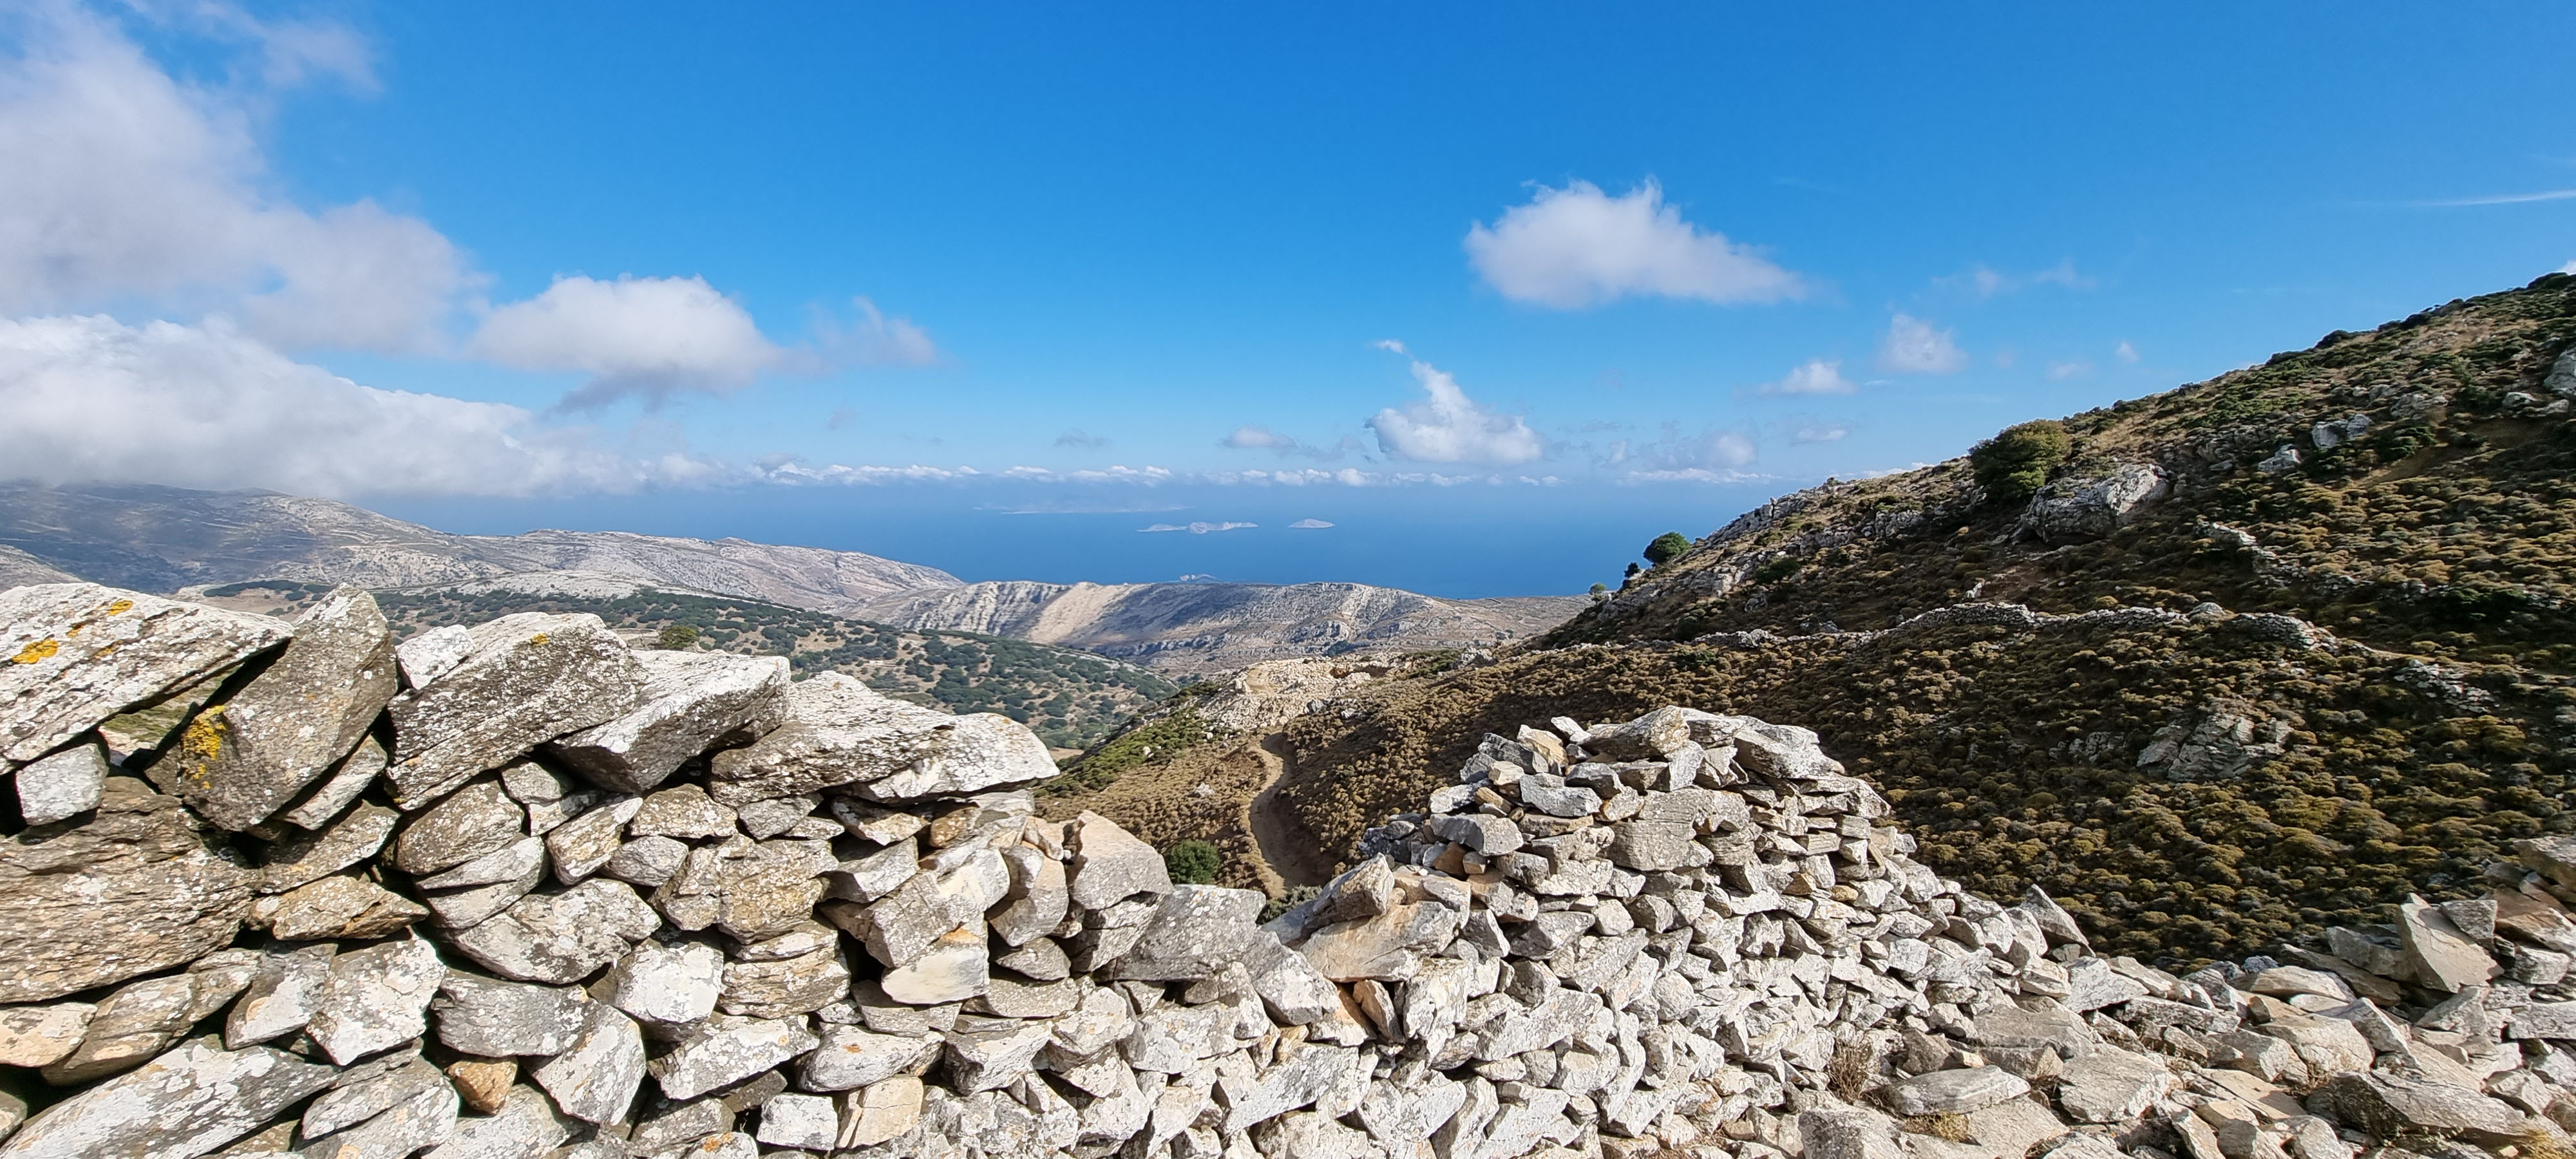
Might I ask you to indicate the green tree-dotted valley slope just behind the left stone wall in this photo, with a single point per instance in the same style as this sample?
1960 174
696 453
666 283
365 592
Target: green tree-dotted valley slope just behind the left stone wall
1070 699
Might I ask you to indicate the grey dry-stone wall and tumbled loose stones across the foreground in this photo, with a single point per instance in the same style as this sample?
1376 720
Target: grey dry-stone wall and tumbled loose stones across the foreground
522 892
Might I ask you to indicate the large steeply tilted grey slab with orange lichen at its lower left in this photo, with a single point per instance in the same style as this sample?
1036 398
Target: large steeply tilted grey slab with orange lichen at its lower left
295 720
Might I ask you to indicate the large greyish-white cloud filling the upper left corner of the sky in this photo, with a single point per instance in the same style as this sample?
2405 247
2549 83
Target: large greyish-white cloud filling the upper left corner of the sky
125 184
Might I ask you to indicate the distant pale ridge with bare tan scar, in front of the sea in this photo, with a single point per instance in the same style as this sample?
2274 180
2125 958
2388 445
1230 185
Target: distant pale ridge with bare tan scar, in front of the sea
1207 627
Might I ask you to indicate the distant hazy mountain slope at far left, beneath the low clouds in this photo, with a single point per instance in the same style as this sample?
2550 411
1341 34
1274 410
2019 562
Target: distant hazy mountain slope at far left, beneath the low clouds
164 540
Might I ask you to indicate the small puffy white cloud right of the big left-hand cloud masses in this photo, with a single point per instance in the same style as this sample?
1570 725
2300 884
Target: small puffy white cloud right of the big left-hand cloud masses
630 336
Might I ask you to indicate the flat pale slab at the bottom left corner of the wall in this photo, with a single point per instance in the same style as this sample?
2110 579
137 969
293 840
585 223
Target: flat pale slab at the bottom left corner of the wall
184 1104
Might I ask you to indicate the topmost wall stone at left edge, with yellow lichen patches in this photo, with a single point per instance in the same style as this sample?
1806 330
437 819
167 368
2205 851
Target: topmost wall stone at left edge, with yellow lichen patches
73 655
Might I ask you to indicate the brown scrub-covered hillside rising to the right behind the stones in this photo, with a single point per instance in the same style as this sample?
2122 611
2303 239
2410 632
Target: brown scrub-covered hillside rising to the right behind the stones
2258 655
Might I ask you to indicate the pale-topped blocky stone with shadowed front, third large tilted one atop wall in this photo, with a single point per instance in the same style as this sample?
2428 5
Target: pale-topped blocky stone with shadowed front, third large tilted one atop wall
692 702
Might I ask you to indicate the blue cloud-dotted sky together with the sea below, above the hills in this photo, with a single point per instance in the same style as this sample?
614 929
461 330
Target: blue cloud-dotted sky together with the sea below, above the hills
1470 300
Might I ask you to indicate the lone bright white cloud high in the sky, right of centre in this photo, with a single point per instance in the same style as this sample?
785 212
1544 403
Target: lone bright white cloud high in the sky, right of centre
1578 249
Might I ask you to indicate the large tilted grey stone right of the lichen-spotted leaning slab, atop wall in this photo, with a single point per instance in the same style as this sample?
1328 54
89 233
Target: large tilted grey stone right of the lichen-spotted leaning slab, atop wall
527 681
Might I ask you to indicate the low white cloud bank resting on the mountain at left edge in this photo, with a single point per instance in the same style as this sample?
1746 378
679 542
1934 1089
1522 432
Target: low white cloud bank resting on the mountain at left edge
91 398
